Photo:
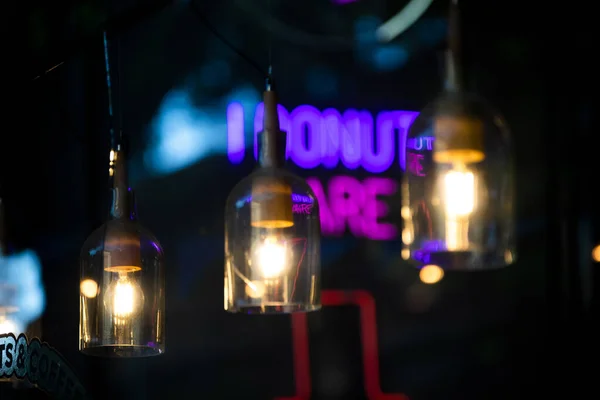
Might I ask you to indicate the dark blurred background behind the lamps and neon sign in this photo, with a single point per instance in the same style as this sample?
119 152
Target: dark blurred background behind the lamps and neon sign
521 332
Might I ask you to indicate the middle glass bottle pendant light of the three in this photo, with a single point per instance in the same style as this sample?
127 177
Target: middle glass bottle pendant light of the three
272 232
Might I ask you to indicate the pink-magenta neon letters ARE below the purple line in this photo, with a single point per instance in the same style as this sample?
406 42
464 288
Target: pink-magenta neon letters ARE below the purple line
355 205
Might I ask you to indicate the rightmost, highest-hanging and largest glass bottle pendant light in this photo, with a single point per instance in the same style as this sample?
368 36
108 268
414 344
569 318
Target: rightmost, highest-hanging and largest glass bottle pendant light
457 192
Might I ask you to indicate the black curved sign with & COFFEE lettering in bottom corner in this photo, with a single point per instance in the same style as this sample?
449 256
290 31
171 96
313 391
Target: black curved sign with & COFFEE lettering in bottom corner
41 365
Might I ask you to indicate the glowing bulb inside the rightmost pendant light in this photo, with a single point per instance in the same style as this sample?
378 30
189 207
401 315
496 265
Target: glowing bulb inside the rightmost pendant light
459 203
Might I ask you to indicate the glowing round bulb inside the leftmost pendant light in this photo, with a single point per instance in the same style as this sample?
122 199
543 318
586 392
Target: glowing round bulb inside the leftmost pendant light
124 298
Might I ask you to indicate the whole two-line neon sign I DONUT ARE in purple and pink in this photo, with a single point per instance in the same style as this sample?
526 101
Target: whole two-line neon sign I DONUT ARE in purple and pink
353 138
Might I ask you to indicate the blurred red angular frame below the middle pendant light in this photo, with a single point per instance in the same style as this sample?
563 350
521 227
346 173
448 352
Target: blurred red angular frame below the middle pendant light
370 347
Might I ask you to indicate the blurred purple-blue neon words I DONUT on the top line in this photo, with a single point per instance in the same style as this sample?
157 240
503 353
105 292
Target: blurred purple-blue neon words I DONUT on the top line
326 138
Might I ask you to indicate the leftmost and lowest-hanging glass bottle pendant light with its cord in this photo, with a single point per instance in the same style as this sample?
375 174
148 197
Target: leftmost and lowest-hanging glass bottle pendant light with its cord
122 288
